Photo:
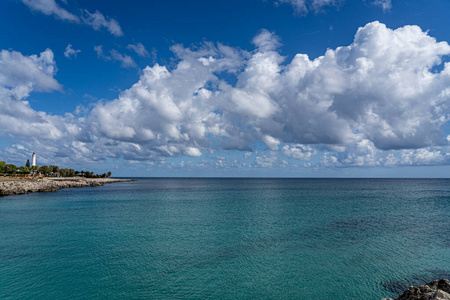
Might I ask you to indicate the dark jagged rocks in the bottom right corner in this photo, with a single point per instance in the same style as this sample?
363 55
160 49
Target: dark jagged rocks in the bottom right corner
435 290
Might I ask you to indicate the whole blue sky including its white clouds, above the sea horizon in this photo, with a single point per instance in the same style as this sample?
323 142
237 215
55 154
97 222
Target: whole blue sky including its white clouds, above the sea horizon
296 88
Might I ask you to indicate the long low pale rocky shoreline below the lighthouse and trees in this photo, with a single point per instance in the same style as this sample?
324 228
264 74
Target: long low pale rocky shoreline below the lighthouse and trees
24 186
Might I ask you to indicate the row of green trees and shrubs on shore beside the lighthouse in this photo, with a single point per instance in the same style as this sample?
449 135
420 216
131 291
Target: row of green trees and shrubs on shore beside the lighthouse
47 171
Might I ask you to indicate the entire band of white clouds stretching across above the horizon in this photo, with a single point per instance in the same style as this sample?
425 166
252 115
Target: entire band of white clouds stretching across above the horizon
381 101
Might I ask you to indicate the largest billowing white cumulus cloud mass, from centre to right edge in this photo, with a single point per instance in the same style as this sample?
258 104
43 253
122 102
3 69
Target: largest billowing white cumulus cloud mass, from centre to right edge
365 89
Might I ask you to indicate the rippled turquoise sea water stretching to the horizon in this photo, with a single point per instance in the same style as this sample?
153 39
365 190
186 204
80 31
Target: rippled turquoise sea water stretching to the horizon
226 239
